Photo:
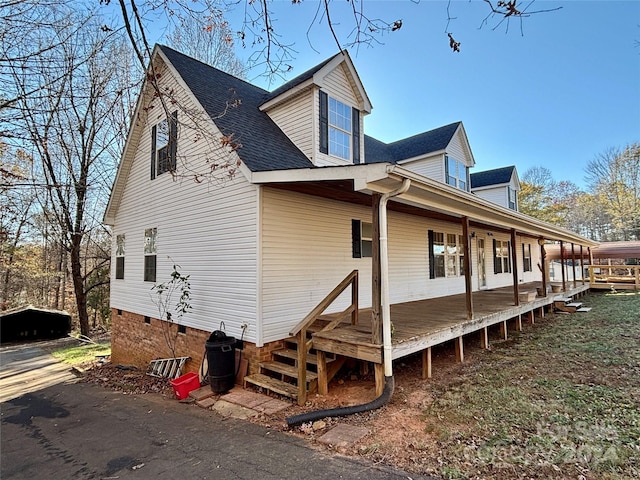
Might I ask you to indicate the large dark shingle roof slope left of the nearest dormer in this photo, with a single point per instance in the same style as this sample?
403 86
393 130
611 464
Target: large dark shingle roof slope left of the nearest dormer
264 146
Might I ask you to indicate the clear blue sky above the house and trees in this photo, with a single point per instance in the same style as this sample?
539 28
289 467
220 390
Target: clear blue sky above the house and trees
566 90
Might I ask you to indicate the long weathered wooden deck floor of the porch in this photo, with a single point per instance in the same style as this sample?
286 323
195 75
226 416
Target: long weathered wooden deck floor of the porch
421 324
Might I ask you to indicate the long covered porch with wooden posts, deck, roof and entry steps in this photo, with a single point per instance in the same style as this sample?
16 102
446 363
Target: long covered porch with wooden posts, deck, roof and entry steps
386 331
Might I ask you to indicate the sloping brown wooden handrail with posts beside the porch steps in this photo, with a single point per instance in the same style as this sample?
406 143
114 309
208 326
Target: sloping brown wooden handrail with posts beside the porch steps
300 330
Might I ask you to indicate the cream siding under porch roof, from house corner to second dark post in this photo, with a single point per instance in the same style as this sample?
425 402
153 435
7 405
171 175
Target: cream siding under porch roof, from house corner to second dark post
306 255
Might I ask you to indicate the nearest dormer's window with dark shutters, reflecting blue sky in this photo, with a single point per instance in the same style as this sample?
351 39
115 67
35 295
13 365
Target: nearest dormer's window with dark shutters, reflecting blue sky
339 129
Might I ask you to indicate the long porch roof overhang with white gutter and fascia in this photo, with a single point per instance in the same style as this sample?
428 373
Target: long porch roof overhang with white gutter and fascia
425 197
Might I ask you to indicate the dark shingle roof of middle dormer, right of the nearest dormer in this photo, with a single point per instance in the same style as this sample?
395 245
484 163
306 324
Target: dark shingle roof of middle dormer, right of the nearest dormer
420 144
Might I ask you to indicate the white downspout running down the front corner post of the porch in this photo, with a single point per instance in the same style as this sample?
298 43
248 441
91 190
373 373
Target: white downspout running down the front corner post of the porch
384 276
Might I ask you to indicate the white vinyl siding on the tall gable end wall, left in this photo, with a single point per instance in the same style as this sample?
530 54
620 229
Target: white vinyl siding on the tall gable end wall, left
209 230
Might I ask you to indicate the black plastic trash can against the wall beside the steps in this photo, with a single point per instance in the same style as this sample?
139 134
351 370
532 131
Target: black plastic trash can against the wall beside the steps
221 359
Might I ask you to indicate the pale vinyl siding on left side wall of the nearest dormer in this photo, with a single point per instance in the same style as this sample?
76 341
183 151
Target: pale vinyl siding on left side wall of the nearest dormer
295 119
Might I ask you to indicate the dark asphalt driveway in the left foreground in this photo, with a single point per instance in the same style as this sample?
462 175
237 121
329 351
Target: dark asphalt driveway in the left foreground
82 431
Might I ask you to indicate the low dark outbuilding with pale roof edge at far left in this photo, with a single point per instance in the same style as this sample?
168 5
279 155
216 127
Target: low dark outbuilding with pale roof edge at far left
32 323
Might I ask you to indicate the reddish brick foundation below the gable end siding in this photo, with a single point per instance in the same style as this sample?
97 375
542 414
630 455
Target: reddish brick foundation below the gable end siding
135 341
